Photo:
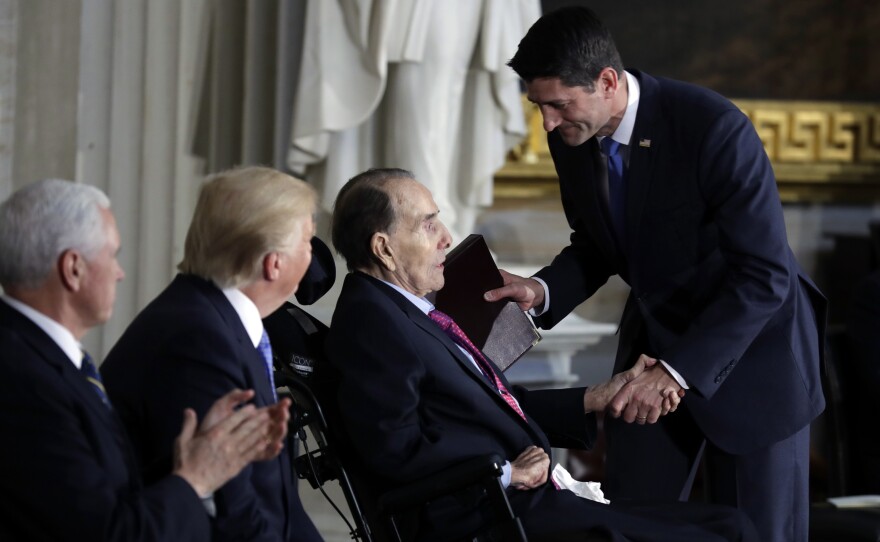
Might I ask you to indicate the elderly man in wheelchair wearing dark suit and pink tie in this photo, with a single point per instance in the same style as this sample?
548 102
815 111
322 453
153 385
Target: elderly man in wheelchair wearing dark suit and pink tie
415 402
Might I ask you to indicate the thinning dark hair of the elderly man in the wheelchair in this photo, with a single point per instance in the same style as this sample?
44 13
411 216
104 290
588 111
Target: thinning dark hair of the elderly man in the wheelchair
364 207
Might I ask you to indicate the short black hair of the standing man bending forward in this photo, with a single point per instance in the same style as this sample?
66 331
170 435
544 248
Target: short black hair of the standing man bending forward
570 43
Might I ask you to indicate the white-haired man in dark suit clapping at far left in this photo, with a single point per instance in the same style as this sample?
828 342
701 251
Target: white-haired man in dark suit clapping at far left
66 466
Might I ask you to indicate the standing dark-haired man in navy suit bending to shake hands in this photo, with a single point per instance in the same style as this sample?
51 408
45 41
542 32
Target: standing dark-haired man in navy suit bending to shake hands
667 185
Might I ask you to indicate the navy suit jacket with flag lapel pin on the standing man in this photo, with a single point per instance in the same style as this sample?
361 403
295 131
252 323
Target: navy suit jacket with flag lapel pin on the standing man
716 291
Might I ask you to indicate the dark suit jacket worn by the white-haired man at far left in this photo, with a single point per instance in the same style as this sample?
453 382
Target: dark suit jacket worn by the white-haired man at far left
66 470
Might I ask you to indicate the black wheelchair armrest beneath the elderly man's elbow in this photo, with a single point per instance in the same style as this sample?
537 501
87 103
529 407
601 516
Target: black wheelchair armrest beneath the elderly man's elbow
475 471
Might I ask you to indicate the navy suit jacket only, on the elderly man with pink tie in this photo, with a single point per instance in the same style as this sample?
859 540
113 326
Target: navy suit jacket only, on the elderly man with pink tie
414 404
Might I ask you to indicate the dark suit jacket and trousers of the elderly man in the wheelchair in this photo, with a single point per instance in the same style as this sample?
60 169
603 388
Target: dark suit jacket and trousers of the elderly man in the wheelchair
413 405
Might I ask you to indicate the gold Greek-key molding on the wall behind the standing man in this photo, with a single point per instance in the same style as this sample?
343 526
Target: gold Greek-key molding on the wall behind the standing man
820 151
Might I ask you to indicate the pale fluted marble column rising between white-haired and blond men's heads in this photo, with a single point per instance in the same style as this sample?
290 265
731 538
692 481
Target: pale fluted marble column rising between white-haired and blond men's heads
138 62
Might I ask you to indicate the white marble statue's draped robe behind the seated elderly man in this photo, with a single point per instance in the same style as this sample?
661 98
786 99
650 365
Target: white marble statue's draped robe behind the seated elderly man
418 84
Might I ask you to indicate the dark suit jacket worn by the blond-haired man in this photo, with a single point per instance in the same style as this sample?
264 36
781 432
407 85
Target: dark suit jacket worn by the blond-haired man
187 348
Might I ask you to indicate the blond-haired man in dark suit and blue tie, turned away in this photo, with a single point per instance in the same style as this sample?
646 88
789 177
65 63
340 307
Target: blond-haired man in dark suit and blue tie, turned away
247 248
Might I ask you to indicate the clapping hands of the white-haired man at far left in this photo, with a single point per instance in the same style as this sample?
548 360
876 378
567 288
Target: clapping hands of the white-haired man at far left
230 437
